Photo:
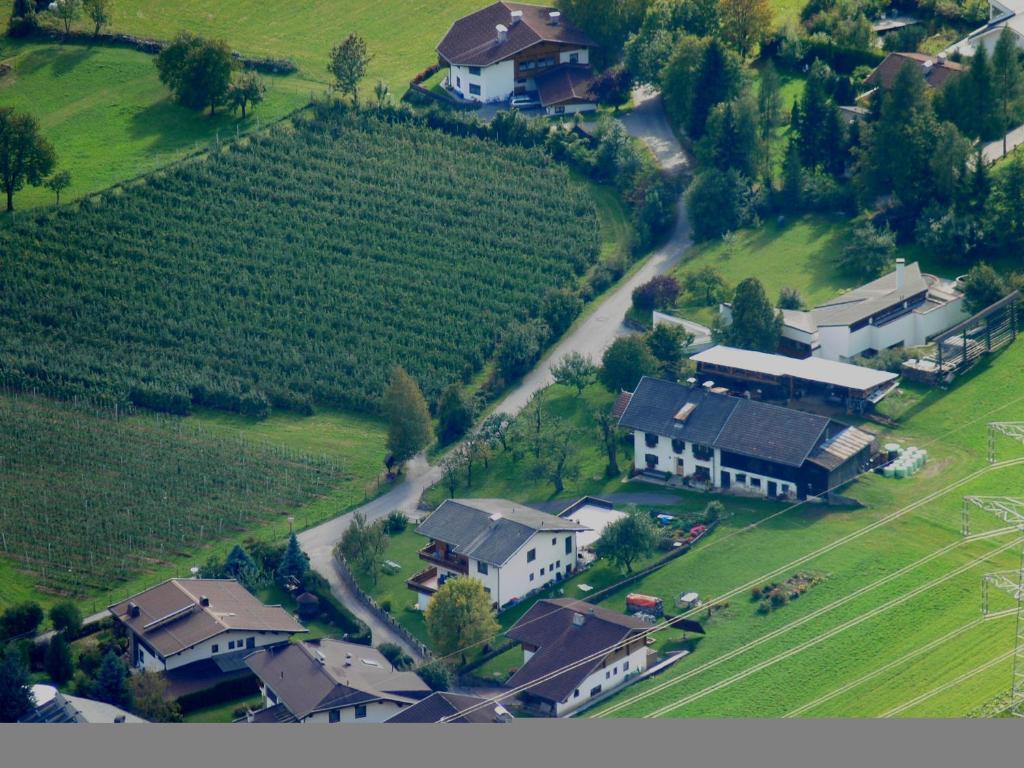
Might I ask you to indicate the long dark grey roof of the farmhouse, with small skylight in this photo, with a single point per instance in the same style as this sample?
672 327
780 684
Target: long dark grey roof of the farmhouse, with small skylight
736 424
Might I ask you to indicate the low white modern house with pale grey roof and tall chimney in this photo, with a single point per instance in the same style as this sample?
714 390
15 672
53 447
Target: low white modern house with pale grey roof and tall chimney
904 309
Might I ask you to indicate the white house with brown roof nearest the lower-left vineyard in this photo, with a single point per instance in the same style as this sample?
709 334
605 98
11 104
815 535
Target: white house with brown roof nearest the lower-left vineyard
184 621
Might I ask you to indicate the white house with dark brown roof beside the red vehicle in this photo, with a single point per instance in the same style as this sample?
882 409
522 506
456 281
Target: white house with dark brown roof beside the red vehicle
574 653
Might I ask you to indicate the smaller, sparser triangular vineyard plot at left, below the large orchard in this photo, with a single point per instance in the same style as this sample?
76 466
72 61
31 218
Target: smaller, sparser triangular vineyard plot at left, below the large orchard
89 498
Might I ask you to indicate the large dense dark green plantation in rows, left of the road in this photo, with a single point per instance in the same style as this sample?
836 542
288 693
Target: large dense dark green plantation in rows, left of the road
291 269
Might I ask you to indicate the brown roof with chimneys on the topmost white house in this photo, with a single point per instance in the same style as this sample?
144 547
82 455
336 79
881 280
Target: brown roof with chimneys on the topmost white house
474 41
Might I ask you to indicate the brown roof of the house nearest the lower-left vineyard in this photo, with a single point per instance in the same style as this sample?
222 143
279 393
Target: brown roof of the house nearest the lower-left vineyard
172 618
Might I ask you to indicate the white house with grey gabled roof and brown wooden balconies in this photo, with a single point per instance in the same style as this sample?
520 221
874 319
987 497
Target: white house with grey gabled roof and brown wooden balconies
511 548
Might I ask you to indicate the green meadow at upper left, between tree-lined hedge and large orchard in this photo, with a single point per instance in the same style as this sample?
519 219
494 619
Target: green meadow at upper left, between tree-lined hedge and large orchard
109 116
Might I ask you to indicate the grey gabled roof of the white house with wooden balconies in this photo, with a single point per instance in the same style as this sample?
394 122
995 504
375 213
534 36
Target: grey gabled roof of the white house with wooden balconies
489 530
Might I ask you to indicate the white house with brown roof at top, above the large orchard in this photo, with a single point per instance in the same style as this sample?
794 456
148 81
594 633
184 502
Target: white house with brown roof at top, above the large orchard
509 50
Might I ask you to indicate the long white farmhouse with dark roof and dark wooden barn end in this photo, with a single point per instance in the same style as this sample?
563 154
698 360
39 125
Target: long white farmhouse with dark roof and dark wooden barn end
698 437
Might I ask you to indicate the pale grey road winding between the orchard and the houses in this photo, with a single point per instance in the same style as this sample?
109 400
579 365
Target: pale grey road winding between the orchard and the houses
590 337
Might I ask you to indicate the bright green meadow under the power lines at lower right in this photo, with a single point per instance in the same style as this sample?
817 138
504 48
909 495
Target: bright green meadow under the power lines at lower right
833 676
